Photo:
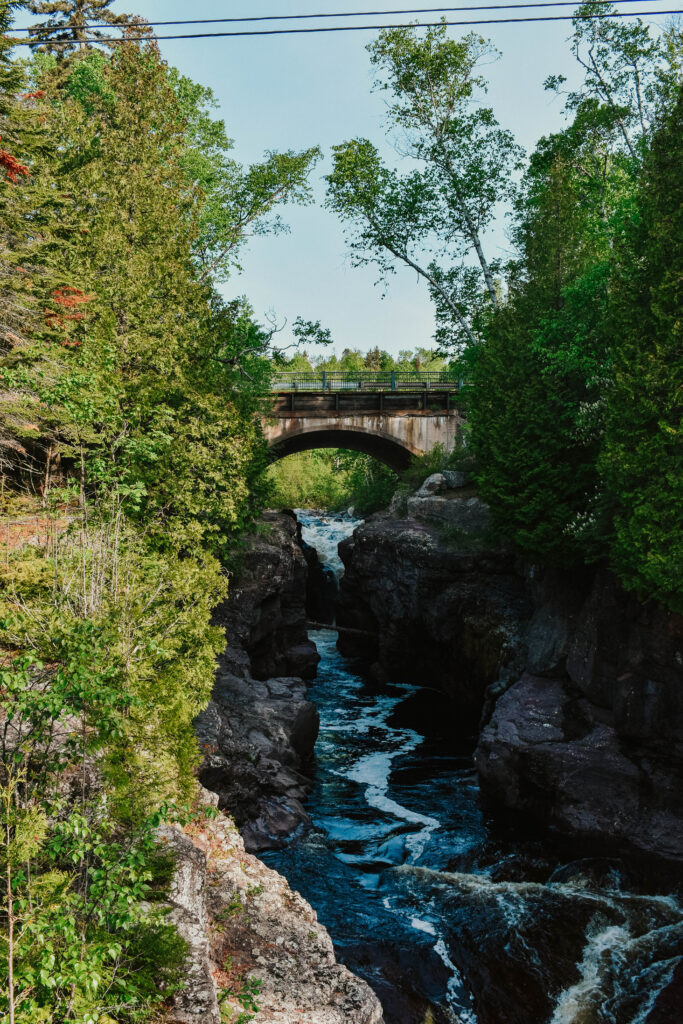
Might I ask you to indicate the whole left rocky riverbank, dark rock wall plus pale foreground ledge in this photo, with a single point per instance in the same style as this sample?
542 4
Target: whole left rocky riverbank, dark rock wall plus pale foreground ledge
255 947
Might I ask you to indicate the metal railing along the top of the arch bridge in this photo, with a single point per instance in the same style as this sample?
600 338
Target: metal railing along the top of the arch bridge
366 380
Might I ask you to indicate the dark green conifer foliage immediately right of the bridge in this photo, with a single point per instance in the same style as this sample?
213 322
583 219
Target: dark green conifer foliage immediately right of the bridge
532 470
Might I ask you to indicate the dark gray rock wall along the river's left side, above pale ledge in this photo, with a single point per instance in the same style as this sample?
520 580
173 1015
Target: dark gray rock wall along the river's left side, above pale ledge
259 732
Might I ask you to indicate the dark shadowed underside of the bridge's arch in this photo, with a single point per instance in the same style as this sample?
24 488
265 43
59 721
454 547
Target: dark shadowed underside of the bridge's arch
395 453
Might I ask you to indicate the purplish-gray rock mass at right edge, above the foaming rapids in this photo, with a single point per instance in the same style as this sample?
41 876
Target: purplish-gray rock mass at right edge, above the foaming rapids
599 751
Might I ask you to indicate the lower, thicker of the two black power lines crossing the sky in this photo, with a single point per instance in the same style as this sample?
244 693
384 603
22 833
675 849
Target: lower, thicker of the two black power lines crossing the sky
349 28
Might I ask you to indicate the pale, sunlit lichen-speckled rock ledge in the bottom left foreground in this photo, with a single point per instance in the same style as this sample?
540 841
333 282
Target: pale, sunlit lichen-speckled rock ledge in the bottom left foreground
243 924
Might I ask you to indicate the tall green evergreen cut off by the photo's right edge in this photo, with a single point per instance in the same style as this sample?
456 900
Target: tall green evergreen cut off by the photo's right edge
643 461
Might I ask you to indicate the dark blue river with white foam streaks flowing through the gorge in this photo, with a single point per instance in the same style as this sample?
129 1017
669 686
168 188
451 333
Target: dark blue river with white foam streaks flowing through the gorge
454 914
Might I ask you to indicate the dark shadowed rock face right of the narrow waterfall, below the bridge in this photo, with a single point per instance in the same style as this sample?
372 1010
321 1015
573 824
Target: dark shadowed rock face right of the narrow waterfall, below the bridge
445 616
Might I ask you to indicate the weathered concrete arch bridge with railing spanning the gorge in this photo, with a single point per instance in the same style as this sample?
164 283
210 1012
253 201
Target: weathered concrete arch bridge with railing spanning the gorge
390 415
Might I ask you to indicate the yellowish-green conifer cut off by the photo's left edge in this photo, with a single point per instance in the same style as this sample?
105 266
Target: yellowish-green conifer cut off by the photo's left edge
31 204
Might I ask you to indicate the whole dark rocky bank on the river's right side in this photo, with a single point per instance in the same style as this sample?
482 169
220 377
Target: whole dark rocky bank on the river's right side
577 685
